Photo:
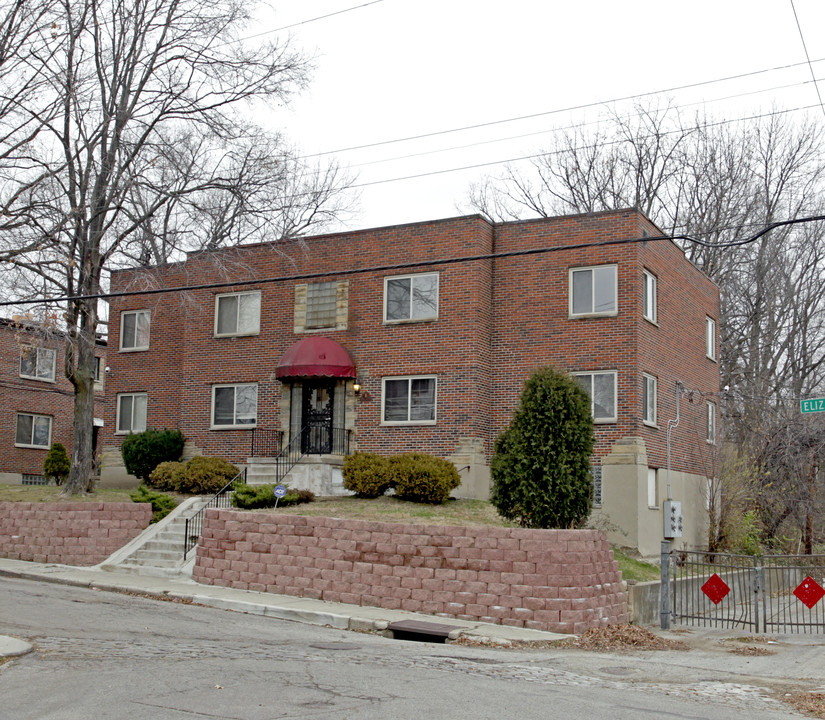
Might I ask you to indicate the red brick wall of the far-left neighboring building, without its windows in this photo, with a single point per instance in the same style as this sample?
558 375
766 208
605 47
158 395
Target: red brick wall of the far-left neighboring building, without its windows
39 397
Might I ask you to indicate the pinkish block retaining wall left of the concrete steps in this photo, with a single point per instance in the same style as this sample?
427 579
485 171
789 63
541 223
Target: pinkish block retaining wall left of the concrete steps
69 533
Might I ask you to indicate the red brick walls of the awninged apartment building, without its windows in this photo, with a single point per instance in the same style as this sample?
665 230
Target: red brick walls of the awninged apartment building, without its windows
498 321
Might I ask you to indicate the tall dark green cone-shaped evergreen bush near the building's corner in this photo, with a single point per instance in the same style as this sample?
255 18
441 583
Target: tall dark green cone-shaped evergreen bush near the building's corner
540 468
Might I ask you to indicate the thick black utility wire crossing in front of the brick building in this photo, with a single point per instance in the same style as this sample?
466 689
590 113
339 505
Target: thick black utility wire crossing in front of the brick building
418 264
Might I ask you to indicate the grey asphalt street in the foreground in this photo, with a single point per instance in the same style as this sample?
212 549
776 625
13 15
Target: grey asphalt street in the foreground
112 655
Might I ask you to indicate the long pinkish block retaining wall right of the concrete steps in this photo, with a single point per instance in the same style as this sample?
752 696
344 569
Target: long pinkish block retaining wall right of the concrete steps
557 580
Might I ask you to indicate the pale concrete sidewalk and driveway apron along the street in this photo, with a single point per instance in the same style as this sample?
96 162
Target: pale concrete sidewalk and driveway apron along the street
796 659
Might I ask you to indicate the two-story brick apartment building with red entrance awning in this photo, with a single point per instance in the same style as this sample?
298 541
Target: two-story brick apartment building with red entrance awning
429 352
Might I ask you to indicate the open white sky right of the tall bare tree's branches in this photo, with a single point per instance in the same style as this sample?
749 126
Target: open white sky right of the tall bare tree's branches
400 68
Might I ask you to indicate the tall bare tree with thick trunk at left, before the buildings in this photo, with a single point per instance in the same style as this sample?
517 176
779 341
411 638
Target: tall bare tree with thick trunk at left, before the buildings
140 110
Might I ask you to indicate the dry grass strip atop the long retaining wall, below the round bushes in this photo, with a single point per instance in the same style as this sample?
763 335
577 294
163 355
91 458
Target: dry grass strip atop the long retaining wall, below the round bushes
390 509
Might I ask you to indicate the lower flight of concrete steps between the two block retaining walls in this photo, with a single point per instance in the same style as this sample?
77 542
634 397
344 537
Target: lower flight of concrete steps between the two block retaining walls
158 550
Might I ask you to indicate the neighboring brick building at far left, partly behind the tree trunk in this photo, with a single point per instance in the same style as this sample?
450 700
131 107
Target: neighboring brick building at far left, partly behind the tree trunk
36 399
